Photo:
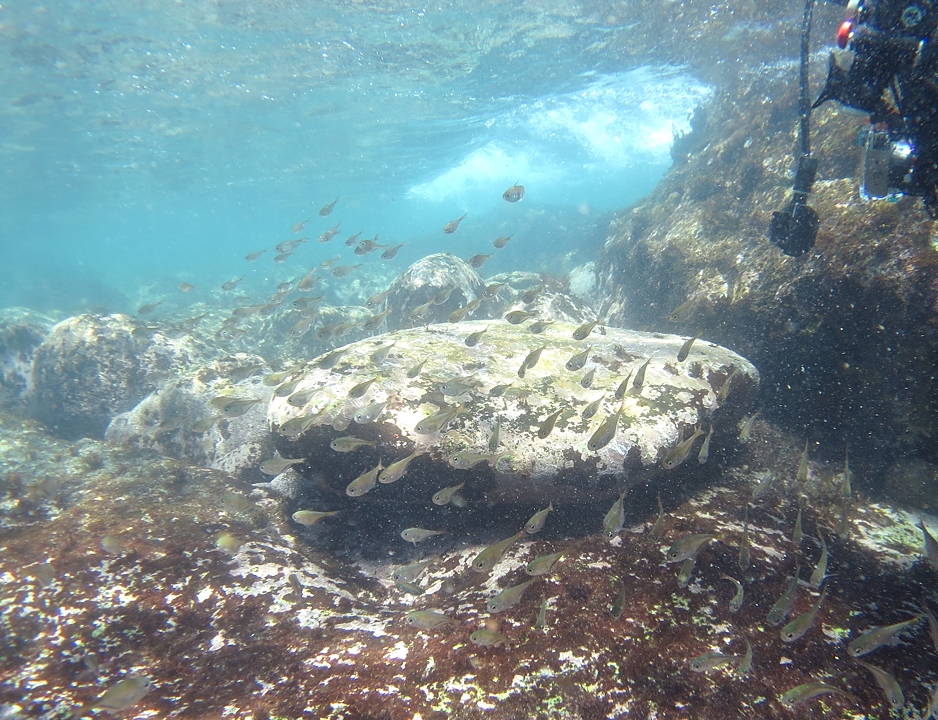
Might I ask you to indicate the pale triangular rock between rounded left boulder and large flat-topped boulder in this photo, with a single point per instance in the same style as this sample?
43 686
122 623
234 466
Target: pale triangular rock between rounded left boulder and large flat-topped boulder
173 418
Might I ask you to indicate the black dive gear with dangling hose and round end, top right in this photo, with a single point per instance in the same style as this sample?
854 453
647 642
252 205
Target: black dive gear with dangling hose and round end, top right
885 65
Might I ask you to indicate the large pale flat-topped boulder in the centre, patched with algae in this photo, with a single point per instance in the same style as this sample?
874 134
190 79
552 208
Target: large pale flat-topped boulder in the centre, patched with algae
530 459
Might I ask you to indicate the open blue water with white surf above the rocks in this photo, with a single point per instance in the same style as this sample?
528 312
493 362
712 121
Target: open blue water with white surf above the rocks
149 144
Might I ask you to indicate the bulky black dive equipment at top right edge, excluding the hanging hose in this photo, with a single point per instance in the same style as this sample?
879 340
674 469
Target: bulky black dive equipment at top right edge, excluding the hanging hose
887 67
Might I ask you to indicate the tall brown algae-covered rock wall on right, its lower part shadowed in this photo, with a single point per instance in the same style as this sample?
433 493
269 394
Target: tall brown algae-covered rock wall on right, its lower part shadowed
844 336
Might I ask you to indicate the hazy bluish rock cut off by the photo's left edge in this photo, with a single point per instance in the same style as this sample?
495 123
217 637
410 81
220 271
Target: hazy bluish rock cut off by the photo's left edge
21 332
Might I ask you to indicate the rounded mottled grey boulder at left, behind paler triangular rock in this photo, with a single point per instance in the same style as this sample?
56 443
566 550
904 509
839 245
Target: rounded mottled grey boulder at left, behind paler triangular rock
90 368
